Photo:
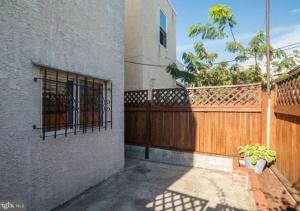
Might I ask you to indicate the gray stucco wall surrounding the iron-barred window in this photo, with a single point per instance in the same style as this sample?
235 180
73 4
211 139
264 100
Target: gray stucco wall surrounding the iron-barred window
82 36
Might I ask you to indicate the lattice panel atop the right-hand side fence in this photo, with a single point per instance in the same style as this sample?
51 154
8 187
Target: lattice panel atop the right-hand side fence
288 90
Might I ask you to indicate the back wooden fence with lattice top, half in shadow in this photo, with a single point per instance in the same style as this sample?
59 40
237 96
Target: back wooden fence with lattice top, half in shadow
209 119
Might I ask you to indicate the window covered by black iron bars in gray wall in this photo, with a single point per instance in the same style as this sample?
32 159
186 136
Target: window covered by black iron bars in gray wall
73 103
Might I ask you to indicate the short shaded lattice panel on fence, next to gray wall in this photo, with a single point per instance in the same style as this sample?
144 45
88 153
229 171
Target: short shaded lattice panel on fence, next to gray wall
139 97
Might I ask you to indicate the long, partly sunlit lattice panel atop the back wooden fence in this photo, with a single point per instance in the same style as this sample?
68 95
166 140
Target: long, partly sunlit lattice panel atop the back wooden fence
220 96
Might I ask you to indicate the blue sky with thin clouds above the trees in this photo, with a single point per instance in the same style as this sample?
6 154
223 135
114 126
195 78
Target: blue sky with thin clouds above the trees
250 16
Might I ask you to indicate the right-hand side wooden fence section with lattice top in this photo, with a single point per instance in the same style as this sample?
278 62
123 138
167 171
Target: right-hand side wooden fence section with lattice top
285 127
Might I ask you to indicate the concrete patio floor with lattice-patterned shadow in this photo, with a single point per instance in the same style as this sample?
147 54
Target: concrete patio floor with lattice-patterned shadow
145 185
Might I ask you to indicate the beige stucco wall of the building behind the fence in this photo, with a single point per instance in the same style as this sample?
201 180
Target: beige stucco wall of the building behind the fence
142 44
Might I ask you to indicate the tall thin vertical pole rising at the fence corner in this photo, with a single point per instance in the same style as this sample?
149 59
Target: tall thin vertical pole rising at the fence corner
268 68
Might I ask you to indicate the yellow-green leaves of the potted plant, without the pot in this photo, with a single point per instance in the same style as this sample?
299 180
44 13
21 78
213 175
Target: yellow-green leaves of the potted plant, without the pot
256 152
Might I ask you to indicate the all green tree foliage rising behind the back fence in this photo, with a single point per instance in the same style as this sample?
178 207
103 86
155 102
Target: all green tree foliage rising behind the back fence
201 69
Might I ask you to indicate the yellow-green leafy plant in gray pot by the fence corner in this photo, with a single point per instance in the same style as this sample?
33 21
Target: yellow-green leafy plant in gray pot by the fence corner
257 156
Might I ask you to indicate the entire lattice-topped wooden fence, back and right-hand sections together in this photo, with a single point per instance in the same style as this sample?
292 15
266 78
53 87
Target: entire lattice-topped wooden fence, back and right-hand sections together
219 119
